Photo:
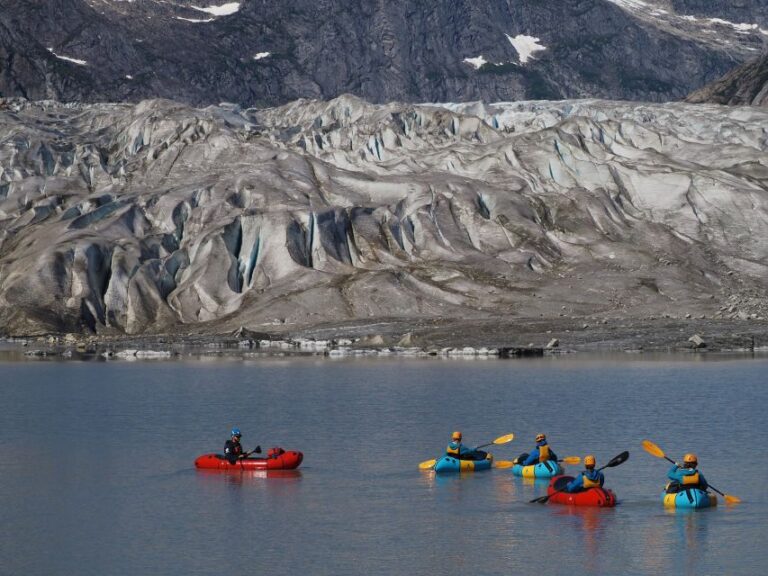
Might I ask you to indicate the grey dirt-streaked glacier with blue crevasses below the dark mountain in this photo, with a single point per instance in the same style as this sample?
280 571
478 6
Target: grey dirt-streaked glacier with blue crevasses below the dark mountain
159 217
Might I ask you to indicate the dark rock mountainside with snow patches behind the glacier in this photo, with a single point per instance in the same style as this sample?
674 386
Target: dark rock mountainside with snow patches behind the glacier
258 52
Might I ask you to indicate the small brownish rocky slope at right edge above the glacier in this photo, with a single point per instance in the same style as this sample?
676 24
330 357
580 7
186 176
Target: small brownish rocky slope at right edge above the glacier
746 85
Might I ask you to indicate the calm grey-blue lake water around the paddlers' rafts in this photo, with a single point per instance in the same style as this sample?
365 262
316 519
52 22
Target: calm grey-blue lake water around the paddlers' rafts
97 475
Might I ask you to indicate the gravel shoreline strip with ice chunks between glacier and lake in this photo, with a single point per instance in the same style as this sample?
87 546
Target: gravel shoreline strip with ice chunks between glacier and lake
400 337
